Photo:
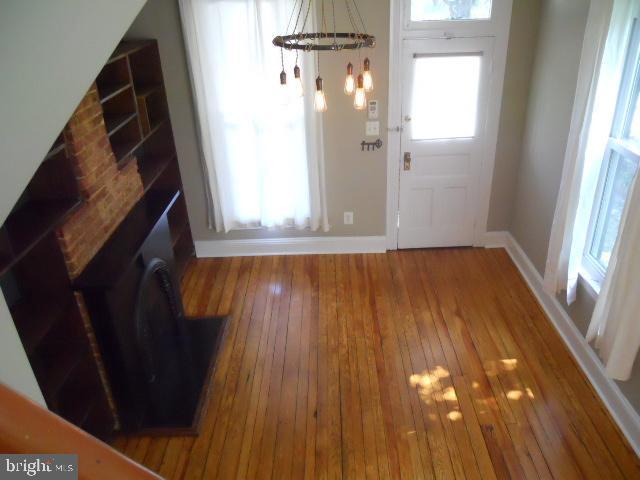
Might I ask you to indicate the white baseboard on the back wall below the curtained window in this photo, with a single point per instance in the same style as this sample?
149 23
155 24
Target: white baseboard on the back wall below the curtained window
290 246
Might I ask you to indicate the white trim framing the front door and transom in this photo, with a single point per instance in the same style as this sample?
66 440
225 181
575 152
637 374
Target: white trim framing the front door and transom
498 28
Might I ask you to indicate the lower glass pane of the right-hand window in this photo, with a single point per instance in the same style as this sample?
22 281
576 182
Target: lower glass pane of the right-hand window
620 175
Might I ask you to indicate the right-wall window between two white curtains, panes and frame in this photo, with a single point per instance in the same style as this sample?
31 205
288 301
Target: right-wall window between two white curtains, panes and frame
619 167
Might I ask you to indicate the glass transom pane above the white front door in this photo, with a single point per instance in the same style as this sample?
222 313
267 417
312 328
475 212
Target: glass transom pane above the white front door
425 10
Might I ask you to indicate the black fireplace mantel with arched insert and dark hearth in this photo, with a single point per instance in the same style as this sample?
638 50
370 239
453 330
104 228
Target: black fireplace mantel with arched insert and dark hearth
159 363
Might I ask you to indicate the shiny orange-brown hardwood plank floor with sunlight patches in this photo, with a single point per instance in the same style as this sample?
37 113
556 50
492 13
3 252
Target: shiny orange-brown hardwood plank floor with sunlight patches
412 364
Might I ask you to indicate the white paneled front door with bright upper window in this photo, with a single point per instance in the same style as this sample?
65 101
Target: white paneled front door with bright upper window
444 115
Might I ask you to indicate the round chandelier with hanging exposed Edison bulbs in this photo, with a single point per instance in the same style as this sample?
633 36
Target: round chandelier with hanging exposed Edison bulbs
326 40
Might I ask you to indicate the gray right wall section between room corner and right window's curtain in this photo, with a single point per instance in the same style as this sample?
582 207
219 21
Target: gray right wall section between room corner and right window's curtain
551 97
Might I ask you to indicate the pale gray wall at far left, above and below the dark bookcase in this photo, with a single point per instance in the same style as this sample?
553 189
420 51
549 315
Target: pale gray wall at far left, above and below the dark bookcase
50 53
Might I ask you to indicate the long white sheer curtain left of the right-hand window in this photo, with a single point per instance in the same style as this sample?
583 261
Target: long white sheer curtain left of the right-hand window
601 67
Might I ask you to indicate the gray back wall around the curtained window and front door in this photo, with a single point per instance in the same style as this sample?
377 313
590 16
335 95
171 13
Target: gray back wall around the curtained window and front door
355 181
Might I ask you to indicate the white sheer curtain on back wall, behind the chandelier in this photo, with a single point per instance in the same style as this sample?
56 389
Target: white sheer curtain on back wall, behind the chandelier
262 147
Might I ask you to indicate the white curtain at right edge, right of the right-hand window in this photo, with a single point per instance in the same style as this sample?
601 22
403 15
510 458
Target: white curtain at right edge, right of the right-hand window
615 325
